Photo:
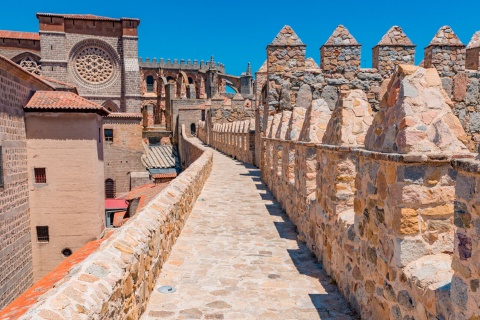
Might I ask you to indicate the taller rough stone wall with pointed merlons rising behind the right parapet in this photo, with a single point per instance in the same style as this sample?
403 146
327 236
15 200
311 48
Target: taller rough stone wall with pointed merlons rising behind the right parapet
287 69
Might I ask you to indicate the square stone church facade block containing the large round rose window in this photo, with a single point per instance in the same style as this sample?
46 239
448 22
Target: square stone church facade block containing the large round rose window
98 55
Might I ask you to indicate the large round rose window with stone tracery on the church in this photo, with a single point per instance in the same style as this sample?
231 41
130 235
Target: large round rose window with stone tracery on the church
94 65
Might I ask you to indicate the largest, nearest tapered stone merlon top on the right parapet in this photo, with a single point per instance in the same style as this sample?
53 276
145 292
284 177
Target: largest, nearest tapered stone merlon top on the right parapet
432 128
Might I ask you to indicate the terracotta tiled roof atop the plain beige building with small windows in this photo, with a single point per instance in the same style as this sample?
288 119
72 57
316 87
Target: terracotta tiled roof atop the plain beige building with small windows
62 100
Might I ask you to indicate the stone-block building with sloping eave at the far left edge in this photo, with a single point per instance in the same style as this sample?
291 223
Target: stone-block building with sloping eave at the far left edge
16 269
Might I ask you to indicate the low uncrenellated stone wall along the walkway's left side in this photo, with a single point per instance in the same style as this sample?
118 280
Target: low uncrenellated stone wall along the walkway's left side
115 281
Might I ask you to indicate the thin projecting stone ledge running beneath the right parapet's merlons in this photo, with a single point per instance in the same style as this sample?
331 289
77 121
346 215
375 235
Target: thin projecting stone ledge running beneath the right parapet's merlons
394 157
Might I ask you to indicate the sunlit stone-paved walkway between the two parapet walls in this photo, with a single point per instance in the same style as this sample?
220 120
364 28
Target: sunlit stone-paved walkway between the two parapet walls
238 258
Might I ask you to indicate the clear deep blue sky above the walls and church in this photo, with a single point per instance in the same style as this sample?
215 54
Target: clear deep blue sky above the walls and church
237 32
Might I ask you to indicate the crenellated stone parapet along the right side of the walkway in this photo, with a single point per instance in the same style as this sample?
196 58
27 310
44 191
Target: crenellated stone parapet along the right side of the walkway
375 196
